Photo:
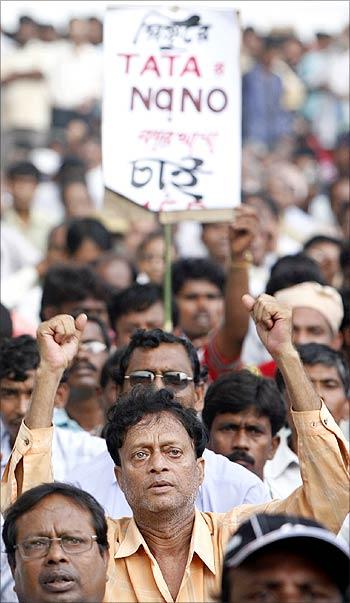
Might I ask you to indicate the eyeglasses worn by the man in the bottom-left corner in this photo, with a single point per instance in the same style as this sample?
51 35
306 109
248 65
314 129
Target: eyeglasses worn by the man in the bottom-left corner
39 546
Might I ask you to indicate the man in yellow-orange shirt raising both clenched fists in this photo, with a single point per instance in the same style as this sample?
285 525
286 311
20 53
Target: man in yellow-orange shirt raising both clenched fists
169 551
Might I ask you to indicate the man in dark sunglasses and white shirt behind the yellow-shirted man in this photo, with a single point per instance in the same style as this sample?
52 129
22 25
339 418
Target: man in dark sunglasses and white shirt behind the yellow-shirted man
158 359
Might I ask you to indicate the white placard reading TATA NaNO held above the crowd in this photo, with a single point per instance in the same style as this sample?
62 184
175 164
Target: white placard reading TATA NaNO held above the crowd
171 127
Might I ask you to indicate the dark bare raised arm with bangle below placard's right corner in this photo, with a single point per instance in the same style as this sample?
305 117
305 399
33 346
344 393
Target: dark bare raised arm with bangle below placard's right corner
229 338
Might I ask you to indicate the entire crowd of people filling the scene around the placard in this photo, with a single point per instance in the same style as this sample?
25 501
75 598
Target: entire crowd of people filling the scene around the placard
218 442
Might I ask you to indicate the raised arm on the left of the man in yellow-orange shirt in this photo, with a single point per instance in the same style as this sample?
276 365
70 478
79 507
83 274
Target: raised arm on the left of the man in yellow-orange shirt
30 461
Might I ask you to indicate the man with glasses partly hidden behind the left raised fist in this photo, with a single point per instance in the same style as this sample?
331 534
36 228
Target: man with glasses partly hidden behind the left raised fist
84 407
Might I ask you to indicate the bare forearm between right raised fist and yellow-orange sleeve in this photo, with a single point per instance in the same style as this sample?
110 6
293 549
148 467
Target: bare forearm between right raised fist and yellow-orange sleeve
299 387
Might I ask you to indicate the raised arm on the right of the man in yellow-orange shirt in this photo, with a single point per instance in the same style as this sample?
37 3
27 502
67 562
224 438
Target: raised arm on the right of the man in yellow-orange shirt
322 449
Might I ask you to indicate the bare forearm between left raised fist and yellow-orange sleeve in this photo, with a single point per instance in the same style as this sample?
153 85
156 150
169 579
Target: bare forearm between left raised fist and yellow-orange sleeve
41 407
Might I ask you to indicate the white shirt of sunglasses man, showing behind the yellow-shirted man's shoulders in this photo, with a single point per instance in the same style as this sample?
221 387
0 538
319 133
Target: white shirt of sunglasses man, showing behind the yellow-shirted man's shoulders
225 485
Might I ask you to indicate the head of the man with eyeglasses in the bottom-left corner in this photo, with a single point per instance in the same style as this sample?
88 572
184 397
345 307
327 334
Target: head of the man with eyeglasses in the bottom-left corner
56 543
